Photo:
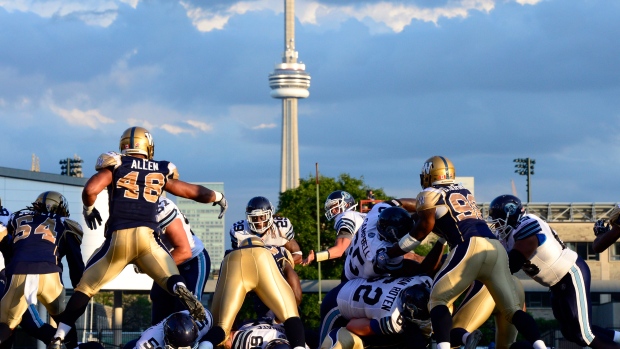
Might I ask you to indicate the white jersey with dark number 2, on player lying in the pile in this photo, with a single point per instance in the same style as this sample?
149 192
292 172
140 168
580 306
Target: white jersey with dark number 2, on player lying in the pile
377 299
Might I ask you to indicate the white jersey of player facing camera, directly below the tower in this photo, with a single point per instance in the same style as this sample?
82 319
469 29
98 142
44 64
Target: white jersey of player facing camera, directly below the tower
280 232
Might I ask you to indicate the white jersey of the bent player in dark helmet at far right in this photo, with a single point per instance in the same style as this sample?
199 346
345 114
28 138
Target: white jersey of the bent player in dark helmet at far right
551 260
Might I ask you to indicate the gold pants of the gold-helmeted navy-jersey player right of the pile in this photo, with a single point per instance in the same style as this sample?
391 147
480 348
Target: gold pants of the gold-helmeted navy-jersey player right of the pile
480 259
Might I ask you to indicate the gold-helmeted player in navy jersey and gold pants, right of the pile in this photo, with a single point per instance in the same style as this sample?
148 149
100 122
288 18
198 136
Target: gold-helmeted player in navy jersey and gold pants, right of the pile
449 210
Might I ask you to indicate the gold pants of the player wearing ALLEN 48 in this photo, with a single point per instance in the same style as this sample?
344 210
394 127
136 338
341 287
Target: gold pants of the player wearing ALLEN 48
134 245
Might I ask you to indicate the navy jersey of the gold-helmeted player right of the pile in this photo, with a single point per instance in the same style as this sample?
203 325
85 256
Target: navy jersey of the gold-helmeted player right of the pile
457 217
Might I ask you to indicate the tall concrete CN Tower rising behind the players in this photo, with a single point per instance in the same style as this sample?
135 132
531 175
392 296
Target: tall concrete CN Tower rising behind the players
289 82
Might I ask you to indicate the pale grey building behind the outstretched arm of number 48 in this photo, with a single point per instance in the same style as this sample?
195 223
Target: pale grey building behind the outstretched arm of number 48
206 225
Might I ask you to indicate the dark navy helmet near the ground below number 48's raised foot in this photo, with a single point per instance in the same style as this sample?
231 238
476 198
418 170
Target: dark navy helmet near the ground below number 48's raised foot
180 332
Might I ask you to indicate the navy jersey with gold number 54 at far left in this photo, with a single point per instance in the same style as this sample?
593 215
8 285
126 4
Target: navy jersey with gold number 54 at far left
34 239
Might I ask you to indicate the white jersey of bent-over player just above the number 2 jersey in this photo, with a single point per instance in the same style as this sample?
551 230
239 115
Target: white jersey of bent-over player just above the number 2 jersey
365 246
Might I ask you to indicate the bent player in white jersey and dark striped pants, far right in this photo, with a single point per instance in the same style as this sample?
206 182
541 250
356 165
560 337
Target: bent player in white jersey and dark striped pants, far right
536 249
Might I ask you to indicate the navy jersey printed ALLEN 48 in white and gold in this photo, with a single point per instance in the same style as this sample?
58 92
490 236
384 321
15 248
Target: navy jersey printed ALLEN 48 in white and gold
136 186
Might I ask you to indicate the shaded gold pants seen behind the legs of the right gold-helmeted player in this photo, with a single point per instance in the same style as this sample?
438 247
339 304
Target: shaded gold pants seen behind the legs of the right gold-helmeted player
478 306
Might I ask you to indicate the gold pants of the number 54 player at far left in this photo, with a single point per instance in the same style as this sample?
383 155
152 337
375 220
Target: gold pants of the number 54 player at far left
49 291
